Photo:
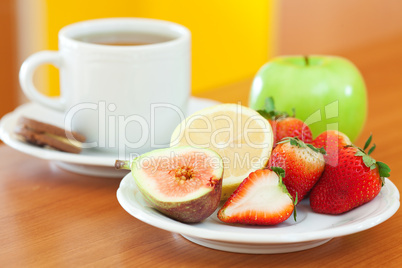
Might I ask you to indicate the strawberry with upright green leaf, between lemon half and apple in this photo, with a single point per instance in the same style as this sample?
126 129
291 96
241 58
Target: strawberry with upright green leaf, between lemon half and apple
284 125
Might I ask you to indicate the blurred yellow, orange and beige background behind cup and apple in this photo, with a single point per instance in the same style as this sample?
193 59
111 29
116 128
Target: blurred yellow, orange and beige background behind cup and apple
231 39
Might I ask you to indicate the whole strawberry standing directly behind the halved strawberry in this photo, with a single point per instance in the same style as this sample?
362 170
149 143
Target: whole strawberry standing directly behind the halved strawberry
303 165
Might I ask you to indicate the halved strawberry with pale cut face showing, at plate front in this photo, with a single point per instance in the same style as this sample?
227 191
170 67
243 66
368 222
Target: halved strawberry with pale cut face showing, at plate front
261 199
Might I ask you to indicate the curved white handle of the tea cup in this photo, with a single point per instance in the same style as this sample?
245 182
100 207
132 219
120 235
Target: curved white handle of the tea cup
26 78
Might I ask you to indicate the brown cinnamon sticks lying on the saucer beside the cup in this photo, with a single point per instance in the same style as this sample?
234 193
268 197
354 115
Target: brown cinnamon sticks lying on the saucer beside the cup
47 135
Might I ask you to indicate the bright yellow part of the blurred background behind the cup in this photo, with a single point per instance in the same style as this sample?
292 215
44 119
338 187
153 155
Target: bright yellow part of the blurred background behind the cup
231 39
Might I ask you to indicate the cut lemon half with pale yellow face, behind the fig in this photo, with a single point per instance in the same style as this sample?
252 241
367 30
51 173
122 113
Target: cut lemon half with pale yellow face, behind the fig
240 135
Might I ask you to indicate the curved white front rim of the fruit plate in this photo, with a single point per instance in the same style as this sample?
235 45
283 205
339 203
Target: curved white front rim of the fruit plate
193 231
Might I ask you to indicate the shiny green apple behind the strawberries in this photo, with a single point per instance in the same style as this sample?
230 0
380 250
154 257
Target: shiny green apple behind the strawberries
326 92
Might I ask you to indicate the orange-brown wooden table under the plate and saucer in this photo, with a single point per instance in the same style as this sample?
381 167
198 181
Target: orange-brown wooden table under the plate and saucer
50 217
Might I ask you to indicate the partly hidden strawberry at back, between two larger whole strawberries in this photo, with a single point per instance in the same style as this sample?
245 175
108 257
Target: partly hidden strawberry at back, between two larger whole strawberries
331 141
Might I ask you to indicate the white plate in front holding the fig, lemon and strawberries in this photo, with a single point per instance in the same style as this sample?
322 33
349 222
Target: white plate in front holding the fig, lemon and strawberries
310 230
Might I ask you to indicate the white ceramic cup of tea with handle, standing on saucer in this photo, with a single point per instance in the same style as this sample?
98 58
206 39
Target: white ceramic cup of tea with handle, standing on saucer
122 98
